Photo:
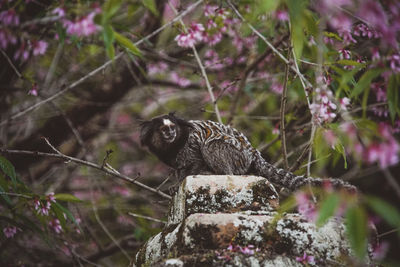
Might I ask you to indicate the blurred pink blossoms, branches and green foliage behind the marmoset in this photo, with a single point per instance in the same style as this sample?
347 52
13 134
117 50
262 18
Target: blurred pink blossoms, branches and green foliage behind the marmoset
84 75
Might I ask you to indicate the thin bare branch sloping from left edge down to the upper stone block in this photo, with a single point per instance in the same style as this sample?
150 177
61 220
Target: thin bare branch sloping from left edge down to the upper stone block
86 163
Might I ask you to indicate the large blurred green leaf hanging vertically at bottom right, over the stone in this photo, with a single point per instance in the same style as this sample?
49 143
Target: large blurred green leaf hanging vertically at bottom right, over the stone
356 228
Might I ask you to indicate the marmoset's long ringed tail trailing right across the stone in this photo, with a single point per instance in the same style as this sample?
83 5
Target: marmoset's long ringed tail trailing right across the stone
293 182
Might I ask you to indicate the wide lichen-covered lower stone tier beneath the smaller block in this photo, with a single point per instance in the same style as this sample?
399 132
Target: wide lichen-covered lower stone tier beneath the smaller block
290 236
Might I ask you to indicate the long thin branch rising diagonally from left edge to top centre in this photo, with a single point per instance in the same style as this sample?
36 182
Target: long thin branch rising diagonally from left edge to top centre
64 88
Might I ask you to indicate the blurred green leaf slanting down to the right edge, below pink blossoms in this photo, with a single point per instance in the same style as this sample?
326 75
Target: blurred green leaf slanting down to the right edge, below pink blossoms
389 213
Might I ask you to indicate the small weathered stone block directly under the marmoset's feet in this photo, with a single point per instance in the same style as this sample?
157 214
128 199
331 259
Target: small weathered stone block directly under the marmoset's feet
222 193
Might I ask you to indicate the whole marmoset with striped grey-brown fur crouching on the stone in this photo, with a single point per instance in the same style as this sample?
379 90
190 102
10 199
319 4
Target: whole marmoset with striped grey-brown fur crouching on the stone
206 147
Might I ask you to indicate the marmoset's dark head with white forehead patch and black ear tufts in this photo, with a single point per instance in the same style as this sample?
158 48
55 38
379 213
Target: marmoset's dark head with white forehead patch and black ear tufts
162 132
